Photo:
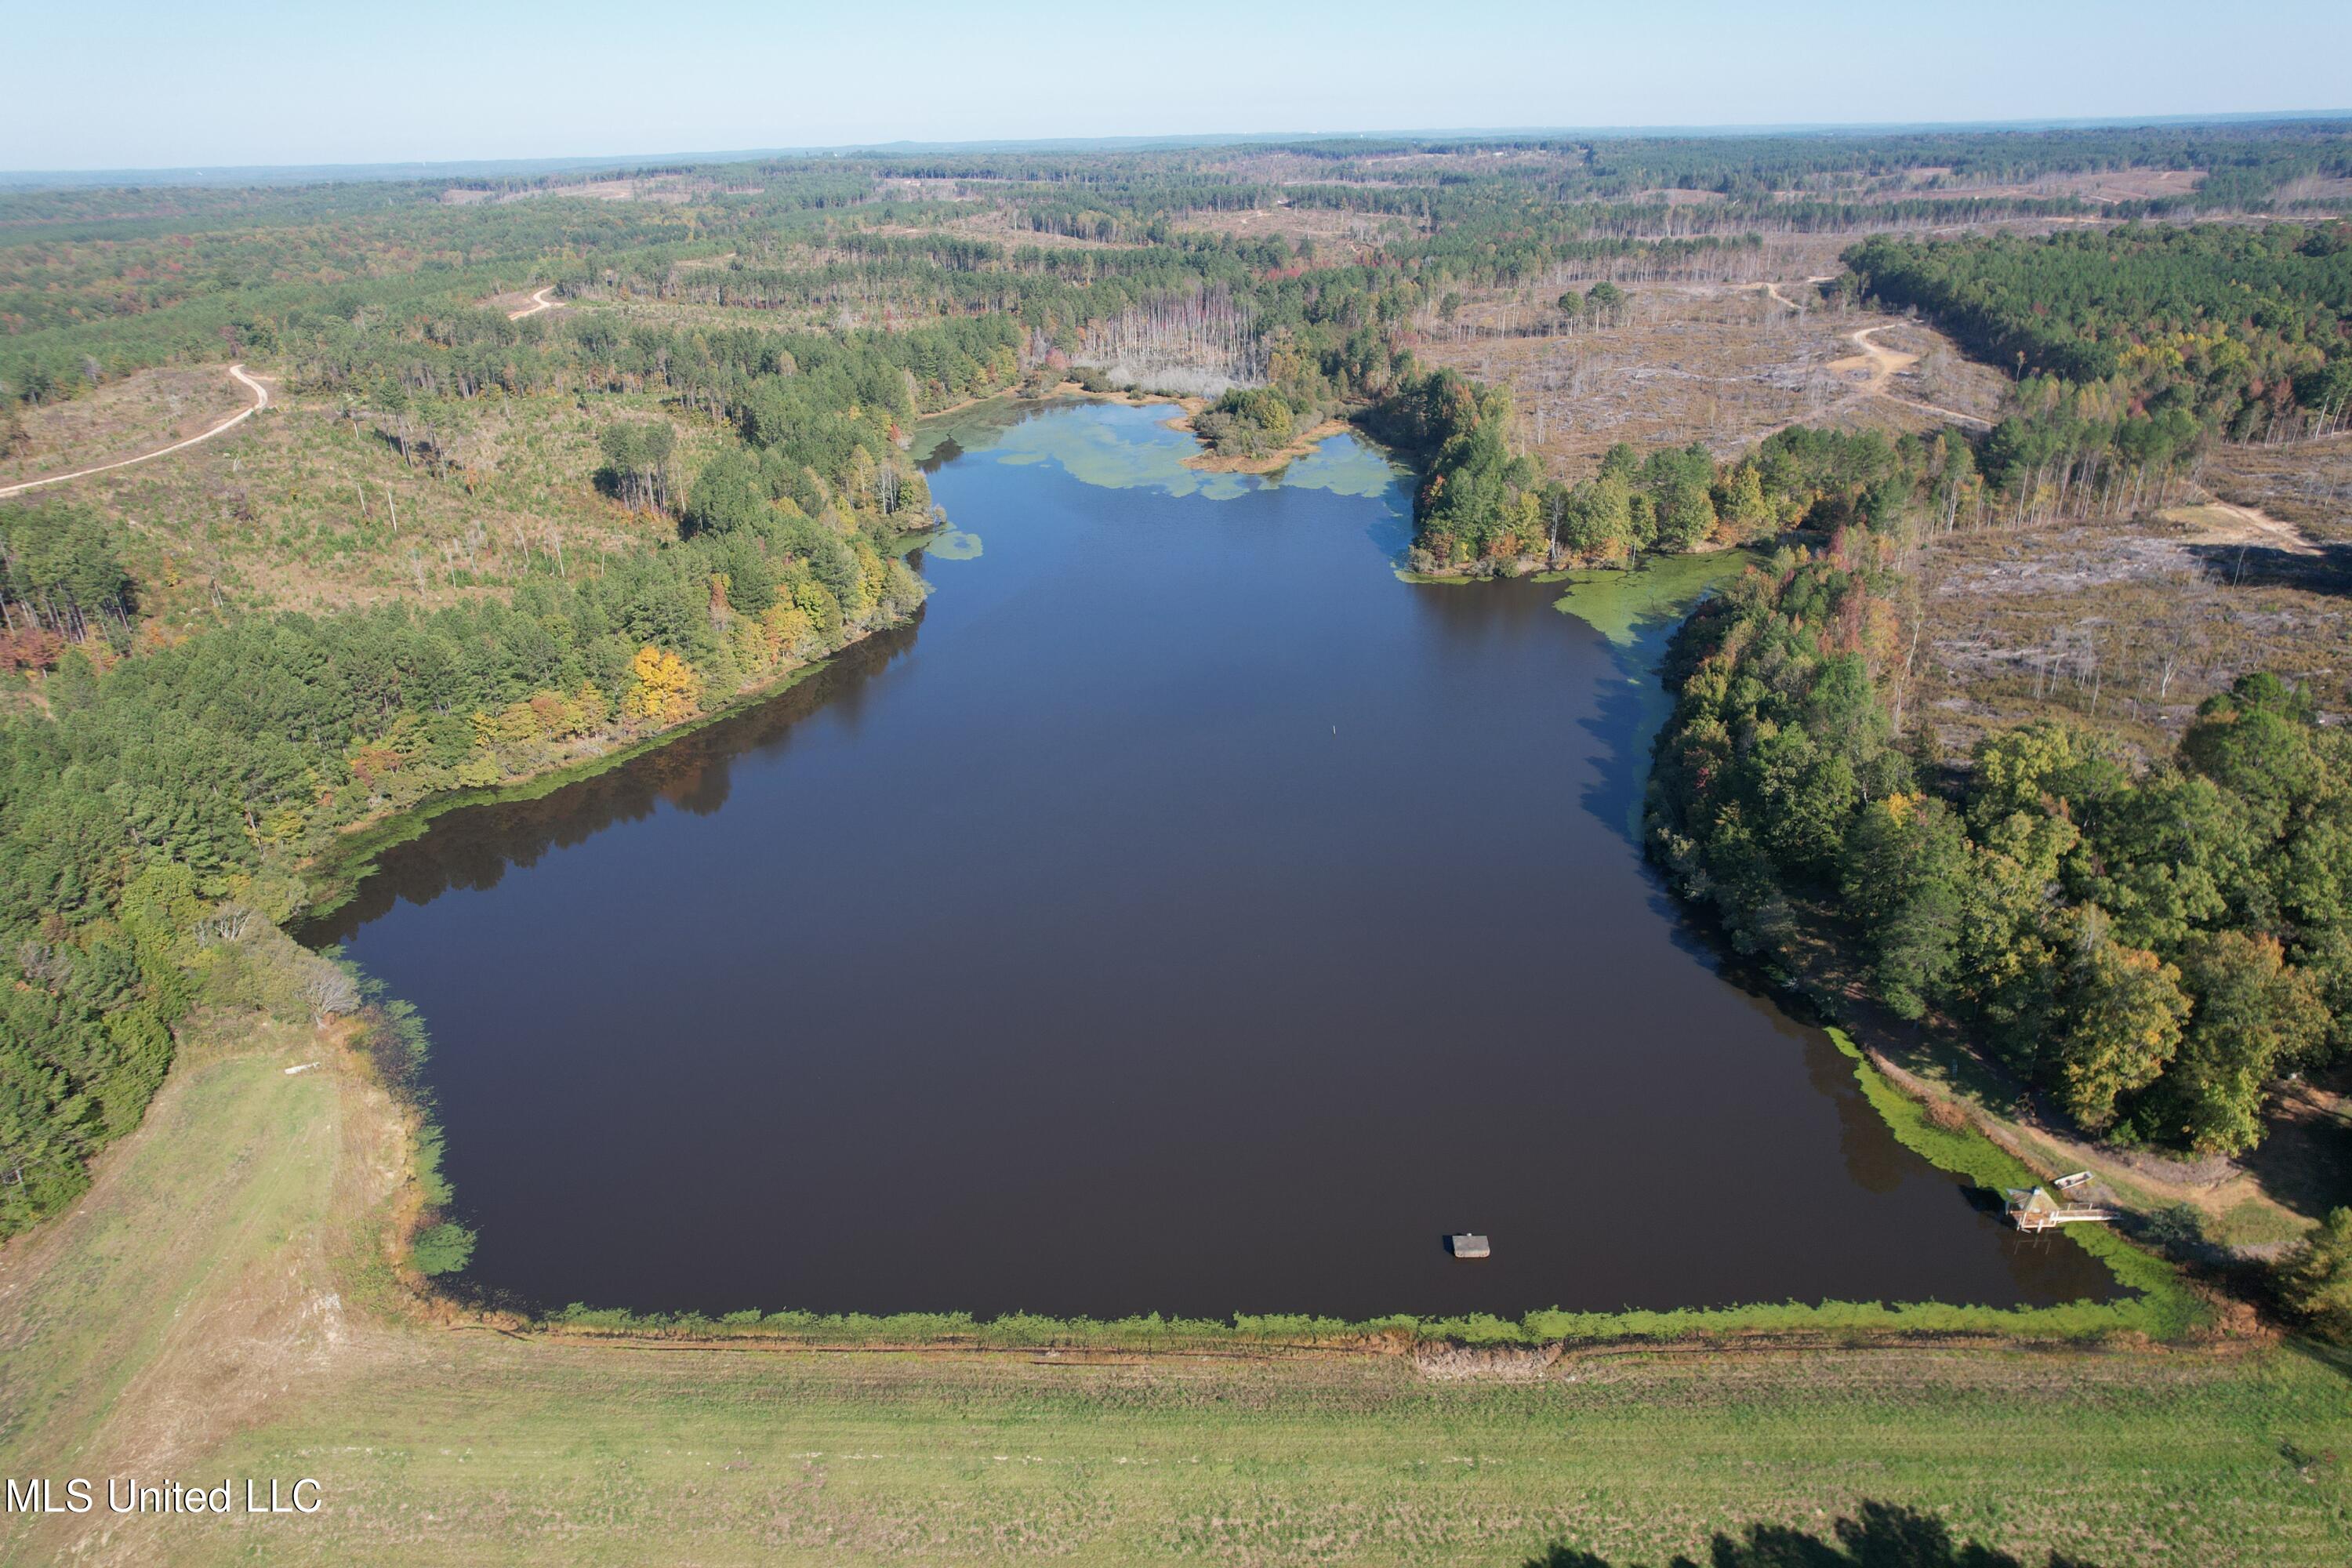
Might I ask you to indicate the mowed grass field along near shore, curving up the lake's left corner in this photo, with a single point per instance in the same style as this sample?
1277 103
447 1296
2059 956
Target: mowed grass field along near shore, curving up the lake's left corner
250 1329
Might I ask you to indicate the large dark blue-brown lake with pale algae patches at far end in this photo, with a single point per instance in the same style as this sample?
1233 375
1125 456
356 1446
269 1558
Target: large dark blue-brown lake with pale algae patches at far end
1184 916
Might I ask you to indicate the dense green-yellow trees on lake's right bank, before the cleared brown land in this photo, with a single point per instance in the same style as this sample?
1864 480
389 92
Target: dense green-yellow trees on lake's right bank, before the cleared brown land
2149 949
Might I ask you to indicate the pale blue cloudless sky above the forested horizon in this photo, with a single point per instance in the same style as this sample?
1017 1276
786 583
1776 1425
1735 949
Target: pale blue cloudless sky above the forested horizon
265 81
